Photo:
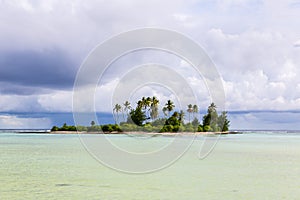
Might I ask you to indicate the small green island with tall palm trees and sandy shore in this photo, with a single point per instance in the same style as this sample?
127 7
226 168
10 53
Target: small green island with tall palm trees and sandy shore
144 118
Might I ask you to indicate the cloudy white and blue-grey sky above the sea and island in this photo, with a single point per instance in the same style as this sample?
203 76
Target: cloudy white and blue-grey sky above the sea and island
255 45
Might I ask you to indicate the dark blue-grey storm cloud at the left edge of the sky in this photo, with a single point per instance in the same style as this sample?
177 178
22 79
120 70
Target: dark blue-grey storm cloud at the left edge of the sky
27 70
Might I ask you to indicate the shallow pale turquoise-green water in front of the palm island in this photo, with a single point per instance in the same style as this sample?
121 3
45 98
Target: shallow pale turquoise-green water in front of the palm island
246 166
